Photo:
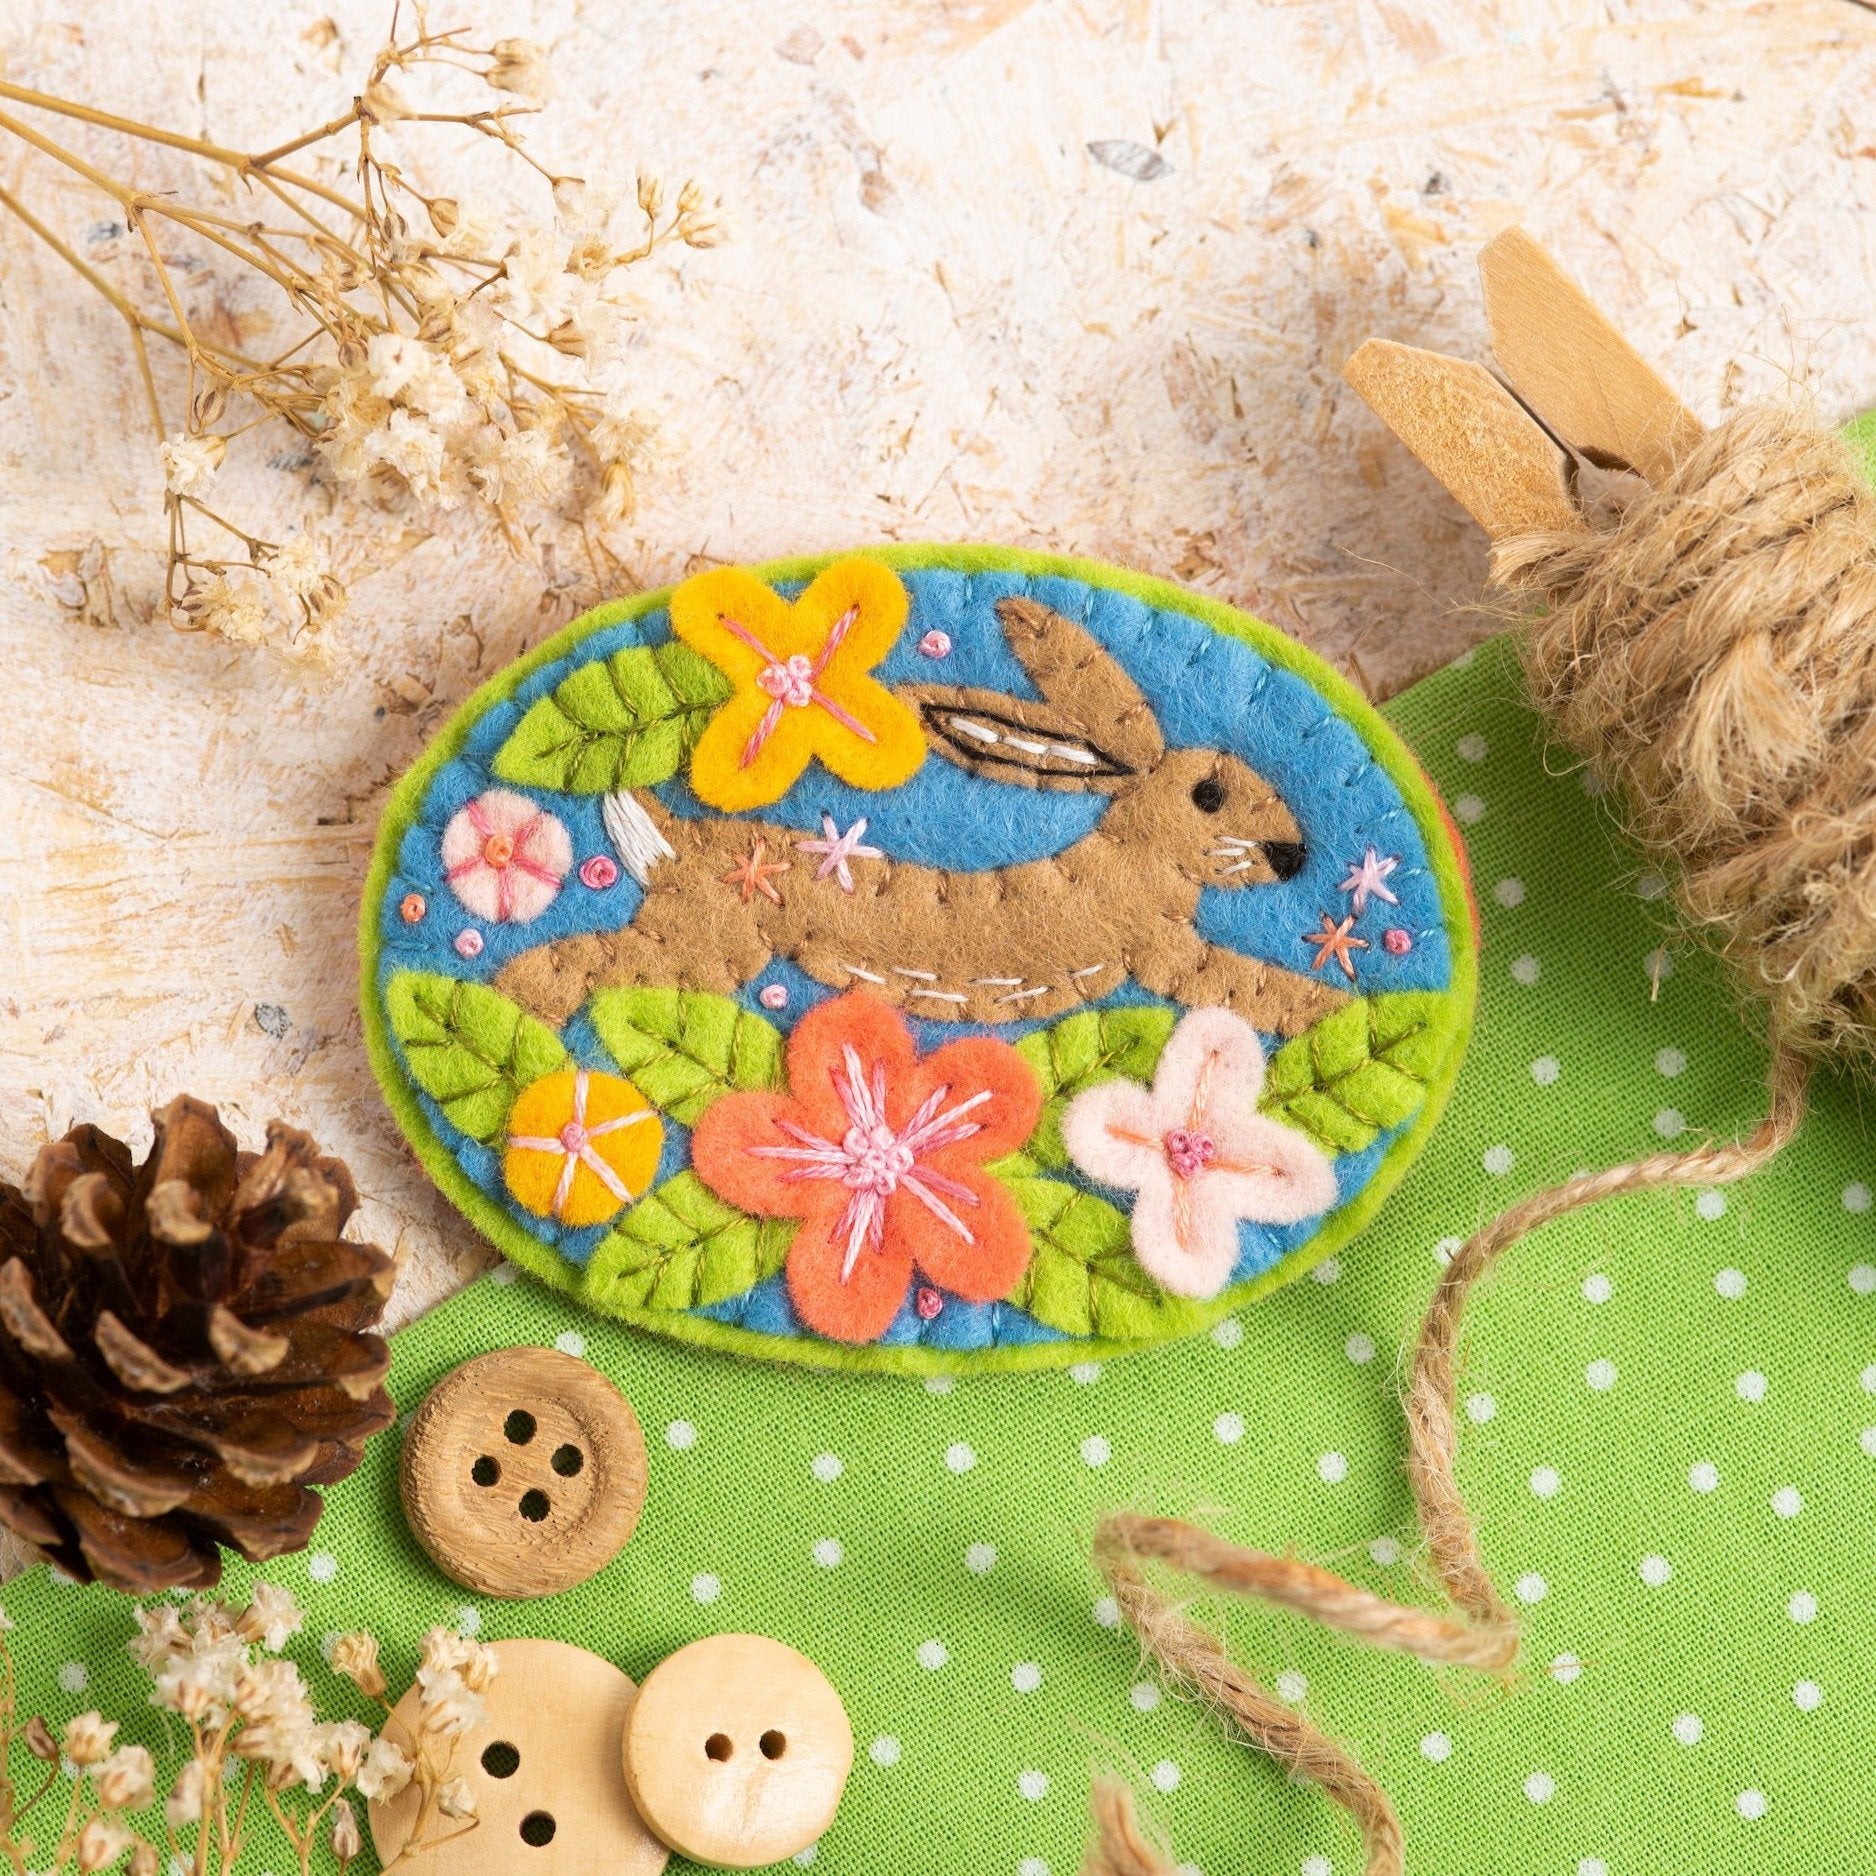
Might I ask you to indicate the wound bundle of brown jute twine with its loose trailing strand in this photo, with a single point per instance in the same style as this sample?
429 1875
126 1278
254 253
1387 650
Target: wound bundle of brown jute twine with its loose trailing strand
1708 648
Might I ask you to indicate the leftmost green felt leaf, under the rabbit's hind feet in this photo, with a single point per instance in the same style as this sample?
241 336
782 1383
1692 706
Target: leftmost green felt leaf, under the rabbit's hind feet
468 1048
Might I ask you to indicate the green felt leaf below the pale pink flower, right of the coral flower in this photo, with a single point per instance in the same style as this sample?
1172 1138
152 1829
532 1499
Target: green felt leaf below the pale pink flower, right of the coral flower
1083 1277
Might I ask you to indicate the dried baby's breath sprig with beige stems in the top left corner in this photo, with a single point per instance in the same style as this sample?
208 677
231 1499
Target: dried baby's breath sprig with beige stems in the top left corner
425 350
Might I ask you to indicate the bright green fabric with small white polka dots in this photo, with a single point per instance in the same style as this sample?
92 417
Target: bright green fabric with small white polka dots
1671 1444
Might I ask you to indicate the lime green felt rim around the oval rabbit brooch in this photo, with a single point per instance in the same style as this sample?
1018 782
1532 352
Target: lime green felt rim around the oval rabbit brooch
1438 834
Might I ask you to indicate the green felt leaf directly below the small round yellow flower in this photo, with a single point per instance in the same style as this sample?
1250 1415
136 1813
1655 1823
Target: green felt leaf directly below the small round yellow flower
682 1248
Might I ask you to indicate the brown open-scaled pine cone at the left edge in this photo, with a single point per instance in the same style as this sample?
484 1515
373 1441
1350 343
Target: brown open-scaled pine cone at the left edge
185 1350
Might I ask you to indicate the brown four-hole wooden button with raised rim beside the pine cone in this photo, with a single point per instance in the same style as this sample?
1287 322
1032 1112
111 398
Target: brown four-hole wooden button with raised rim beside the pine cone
524 1474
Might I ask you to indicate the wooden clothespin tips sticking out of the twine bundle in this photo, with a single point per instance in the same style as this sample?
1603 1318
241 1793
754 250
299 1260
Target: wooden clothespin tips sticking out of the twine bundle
1571 387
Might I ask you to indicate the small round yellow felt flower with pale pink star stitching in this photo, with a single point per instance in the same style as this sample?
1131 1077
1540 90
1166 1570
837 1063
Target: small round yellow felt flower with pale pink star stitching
581 1147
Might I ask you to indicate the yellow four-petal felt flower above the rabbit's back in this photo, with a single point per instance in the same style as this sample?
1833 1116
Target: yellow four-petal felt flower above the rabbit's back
804 682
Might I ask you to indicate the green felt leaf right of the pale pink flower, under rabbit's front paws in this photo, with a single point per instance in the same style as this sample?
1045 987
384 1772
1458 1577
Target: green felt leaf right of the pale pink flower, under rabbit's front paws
1357 1072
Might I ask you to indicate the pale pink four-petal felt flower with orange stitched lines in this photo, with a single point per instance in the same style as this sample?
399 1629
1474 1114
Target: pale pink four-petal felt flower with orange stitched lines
1196 1155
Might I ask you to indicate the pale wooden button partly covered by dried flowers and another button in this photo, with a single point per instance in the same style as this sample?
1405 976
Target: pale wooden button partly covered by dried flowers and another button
545 1772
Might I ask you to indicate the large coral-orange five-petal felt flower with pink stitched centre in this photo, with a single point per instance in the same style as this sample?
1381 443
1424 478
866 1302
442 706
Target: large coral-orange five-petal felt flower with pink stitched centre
881 1157
